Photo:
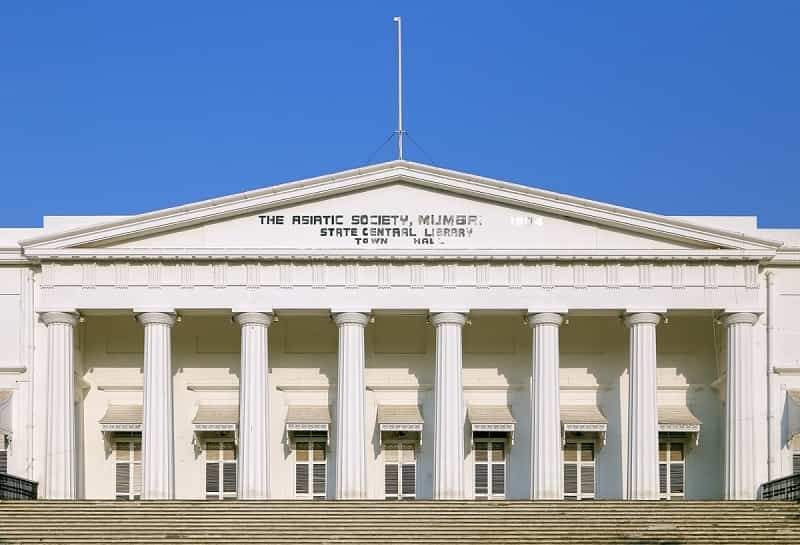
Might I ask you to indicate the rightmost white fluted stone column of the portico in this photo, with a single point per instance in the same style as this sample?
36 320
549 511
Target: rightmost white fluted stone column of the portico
740 463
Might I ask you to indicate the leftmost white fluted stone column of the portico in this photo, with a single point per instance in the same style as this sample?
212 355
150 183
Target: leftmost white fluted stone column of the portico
60 471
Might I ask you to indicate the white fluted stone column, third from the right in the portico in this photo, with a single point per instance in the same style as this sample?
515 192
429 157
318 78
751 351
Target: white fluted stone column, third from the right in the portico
546 456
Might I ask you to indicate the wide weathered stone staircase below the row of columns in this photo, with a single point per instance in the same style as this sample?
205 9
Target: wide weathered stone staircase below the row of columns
386 523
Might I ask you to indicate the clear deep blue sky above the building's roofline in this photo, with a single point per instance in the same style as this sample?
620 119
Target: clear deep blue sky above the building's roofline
679 107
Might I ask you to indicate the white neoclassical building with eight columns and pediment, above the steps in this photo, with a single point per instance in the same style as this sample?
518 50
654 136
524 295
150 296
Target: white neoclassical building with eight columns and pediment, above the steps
396 332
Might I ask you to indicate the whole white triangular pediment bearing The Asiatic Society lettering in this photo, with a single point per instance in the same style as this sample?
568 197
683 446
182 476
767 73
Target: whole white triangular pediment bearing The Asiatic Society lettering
395 207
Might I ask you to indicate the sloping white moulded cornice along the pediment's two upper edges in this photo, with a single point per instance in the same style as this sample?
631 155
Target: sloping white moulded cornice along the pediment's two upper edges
617 217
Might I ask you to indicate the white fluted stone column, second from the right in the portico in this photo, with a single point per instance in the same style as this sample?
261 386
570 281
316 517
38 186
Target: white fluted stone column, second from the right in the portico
642 407
